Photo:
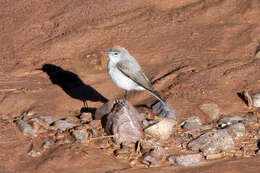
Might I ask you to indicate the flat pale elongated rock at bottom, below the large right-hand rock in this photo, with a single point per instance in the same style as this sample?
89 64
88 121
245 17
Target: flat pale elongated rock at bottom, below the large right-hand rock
186 160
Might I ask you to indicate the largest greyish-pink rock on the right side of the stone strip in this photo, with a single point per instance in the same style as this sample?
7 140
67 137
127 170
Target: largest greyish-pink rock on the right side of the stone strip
212 142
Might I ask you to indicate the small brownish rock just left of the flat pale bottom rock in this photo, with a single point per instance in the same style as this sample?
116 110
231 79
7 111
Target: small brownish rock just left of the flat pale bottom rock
155 155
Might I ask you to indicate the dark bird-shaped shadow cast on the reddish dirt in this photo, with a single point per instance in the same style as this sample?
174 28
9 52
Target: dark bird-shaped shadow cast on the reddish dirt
73 85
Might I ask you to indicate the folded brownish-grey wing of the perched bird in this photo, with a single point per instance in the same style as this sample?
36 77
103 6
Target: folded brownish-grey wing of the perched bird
136 75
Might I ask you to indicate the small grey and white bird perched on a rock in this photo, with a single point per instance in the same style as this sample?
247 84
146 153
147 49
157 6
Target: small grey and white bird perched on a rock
127 74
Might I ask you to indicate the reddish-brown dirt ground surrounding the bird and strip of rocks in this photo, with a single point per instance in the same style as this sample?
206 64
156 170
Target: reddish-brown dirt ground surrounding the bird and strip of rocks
193 50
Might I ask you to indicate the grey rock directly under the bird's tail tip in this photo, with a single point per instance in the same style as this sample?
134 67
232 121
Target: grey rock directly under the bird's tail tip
164 110
